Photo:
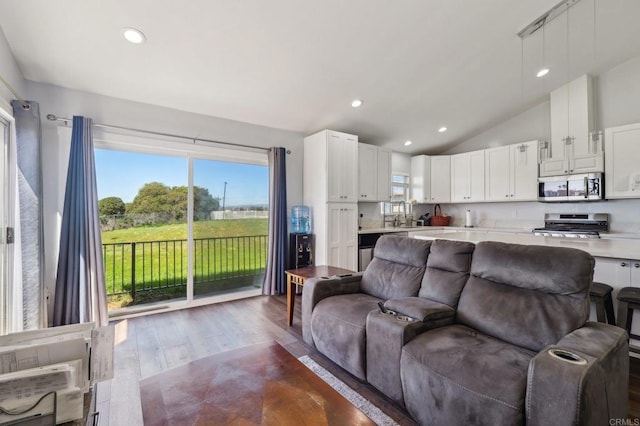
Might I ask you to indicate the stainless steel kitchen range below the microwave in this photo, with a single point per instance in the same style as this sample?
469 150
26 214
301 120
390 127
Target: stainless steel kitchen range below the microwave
572 225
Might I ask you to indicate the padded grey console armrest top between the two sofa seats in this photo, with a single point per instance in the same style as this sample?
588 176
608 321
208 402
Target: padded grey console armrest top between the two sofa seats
421 309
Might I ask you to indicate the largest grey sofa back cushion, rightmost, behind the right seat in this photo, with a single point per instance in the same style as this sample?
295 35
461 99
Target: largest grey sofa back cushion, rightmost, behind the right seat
529 296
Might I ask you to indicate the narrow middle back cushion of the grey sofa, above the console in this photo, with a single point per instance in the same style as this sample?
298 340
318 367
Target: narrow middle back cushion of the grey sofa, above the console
447 271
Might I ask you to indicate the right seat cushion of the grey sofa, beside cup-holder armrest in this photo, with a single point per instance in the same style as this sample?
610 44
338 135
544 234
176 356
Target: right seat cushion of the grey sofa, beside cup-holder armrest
455 375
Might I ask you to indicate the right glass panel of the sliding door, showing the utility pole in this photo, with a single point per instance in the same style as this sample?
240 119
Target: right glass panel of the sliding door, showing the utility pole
230 226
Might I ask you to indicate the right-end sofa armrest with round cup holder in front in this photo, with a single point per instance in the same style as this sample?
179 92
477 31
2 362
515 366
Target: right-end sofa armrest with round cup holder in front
566 381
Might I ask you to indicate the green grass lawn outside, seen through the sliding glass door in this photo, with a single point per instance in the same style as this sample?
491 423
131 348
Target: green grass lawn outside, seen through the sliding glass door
224 251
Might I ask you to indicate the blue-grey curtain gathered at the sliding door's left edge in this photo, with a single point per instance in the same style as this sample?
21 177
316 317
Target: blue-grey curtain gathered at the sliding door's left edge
80 289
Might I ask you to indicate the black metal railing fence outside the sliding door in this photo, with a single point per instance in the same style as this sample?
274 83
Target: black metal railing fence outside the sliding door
147 266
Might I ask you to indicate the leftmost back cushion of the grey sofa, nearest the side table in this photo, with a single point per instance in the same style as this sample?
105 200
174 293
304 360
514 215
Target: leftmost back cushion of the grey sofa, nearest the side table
397 267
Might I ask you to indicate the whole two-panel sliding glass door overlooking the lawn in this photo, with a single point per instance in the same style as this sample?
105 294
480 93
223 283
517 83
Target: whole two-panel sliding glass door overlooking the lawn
180 226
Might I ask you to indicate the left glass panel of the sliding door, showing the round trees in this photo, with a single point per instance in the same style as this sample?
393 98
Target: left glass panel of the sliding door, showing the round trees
143 201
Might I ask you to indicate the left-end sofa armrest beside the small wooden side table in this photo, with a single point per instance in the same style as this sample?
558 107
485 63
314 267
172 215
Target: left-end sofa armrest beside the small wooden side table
316 289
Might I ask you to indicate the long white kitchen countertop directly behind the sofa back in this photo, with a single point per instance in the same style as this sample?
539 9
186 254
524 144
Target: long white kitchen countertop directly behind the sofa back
604 247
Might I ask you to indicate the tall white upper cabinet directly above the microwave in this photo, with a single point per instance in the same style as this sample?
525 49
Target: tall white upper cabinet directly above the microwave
574 147
